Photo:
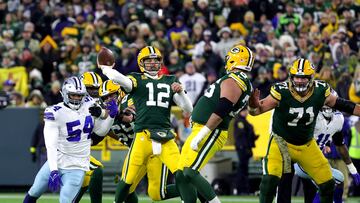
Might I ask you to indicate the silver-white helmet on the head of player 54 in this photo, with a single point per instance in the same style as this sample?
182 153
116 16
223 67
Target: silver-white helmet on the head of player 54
73 86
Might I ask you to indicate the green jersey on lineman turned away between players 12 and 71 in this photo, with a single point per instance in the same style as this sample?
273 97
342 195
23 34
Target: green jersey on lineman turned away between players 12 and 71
208 102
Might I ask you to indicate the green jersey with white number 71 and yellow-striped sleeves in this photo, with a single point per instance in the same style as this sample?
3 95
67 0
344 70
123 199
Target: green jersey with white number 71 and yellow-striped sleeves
294 118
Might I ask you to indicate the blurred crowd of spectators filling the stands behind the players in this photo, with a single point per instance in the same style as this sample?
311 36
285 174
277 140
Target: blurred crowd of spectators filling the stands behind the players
56 39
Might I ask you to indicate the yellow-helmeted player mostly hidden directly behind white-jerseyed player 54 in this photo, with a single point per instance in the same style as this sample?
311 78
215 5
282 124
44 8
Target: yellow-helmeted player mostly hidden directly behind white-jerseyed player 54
94 177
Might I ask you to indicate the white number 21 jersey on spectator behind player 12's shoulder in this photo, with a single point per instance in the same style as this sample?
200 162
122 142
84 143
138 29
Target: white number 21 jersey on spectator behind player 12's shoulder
193 85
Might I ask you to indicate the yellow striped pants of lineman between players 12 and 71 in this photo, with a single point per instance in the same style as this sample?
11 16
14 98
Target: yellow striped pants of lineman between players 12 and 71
207 148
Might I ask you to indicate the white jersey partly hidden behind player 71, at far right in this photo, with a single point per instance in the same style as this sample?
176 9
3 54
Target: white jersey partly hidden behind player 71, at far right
324 131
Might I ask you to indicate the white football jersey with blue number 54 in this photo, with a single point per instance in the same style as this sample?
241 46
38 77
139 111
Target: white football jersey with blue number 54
75 128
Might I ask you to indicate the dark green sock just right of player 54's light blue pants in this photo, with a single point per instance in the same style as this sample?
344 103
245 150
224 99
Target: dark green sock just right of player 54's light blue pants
95 186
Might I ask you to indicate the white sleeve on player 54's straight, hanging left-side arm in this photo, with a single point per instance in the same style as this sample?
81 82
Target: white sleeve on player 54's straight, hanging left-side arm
51 134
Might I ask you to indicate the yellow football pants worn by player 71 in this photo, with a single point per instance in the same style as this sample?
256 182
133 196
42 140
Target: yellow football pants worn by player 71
308 156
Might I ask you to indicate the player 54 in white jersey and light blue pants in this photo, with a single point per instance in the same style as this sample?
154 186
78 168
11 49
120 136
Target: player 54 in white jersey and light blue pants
68 131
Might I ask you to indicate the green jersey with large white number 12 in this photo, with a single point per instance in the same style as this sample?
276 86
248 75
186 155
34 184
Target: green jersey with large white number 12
152 99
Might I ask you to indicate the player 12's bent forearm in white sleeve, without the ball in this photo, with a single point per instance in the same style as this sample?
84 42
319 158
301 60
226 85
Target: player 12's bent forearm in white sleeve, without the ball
180 98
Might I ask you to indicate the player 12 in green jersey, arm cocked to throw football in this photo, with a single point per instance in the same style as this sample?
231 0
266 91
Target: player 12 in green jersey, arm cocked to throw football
152 95
